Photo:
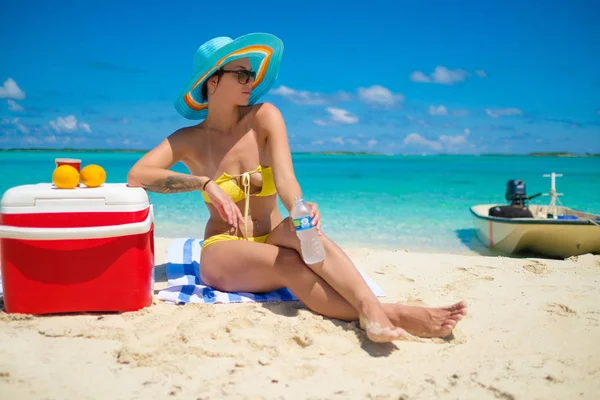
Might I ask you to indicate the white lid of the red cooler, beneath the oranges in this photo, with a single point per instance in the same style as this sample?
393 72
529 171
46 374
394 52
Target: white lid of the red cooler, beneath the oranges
45 197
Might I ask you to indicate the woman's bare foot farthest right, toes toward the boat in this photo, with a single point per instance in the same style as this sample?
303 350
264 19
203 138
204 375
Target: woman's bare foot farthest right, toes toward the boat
426 322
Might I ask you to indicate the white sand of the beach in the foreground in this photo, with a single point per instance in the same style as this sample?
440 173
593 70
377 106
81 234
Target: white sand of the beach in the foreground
532 333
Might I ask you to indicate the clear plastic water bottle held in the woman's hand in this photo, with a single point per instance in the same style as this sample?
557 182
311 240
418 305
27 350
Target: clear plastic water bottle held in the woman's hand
310 242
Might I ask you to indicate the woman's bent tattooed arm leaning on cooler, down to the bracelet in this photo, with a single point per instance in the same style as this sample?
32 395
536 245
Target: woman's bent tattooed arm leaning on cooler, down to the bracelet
152 171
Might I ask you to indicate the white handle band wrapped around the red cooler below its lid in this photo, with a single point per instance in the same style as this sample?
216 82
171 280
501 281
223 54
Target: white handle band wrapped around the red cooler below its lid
94 232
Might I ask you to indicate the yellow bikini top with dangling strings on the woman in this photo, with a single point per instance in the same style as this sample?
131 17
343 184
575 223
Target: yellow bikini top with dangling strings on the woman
225 182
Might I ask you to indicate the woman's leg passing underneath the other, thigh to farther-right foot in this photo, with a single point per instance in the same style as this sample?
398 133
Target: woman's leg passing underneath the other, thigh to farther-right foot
256 267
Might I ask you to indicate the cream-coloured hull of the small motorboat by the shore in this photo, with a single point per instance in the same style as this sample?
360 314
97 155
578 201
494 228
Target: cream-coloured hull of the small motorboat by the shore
543 236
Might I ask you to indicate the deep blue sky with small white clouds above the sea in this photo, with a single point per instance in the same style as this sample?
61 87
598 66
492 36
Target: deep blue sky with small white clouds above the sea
394 77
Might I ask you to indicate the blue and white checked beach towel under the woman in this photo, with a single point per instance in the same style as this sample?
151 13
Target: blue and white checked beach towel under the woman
185 286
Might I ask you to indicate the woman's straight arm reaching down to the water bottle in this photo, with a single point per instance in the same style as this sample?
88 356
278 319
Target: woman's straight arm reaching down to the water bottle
269 122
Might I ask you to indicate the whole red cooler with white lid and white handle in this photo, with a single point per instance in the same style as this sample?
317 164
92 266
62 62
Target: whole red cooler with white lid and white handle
76 250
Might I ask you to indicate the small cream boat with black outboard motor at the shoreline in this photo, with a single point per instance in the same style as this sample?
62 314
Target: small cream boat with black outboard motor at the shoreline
551 231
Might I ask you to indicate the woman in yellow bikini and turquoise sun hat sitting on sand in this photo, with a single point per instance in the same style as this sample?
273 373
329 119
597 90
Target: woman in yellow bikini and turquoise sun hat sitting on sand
239 158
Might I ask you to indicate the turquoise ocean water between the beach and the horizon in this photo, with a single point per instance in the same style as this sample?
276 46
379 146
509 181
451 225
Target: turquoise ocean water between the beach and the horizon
418 203
